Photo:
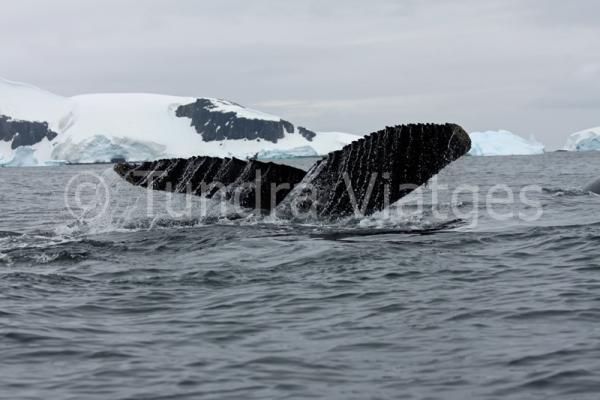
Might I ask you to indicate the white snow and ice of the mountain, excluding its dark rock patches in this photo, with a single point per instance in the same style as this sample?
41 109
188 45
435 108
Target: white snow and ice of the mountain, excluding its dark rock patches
138 126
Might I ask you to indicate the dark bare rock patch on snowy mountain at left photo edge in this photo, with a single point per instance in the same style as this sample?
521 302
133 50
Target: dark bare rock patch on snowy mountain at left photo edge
24 133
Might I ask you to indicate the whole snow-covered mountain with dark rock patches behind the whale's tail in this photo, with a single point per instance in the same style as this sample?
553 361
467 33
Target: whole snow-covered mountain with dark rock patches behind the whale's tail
38 127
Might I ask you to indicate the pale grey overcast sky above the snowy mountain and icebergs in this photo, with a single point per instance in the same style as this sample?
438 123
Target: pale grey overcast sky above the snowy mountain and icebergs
529 66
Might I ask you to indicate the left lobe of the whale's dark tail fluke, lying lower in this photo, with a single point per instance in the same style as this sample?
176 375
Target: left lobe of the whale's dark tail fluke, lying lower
229 178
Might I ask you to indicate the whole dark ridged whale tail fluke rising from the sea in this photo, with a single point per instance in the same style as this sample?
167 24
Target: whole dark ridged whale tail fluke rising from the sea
363 177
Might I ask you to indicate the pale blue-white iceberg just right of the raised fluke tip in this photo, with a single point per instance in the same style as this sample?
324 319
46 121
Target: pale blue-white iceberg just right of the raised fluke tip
503 143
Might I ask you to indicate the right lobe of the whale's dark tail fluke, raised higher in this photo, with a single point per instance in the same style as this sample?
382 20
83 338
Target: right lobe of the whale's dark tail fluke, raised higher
376 170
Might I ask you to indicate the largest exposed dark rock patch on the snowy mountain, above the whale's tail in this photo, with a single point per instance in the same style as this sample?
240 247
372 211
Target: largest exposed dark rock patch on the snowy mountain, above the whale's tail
217 125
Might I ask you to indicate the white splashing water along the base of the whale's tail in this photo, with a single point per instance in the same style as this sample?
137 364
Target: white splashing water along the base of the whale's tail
201 212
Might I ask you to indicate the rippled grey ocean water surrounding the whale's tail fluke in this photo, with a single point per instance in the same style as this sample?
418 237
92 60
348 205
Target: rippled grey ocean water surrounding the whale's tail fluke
467 290
